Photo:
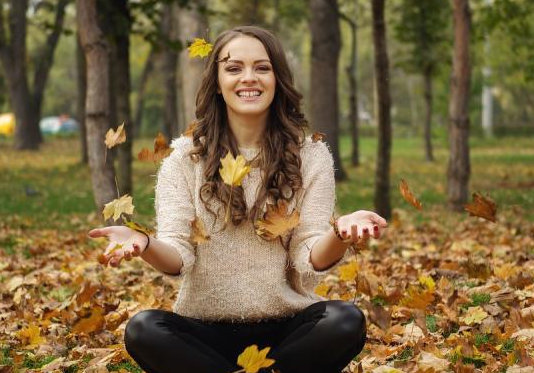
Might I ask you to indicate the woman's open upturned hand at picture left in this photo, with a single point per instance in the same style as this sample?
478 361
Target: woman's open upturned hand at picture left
133 243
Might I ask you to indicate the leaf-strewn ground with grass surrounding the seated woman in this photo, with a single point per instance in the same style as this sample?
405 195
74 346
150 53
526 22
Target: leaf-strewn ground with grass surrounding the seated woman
441 291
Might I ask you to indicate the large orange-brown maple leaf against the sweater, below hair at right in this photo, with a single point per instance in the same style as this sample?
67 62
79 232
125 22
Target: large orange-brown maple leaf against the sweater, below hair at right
276 221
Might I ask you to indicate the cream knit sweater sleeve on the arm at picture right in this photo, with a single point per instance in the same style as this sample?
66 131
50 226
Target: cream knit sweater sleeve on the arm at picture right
316 210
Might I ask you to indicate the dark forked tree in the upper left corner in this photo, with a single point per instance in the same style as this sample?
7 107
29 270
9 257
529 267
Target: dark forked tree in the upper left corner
26 101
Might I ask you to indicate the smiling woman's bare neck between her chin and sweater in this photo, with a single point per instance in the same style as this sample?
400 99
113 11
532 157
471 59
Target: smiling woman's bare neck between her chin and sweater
248 130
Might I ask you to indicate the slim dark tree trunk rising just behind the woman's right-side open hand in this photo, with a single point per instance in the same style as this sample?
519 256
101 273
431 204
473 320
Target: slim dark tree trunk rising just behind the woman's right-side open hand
382 197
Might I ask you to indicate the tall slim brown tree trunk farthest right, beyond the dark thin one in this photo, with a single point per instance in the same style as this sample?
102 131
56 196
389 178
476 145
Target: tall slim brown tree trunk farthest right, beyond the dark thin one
459 168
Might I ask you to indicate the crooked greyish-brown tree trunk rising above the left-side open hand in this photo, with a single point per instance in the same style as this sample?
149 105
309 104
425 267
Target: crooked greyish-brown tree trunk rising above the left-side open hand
97 105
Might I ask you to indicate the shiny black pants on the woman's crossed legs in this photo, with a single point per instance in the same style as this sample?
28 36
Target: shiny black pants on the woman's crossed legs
323 338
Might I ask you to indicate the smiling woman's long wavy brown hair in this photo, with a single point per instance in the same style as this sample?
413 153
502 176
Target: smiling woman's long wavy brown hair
279 155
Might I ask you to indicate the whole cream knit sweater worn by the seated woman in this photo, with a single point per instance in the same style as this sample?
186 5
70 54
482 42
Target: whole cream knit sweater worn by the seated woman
237 276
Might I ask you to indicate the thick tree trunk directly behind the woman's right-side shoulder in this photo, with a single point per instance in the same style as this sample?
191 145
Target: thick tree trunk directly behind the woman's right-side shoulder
326 44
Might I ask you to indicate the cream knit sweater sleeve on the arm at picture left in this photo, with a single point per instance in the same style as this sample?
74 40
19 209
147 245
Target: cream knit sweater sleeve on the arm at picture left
174 206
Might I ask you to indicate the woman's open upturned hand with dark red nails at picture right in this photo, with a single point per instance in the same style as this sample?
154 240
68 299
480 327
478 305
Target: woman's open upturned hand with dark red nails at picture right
361 225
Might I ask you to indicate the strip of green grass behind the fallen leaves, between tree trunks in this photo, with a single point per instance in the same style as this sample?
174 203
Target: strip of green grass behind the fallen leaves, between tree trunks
501 168
